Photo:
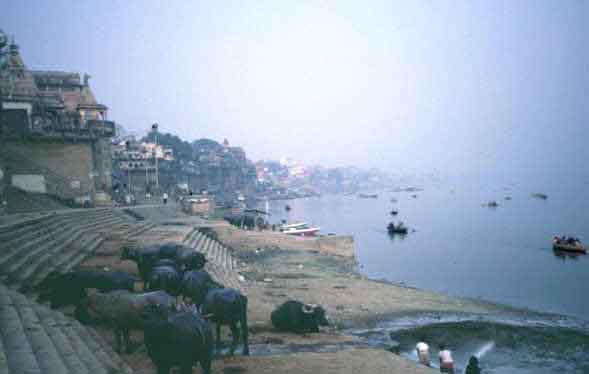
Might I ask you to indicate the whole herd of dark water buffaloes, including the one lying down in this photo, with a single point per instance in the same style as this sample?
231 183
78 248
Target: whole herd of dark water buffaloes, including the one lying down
174 311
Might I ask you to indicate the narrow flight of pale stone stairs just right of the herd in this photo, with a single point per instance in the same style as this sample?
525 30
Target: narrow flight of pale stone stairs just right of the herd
221 264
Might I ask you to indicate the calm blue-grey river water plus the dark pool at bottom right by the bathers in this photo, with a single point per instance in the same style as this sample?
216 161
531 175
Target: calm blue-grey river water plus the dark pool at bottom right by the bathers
460 247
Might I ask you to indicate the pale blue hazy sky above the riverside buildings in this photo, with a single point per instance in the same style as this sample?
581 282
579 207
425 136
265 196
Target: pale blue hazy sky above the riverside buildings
451 86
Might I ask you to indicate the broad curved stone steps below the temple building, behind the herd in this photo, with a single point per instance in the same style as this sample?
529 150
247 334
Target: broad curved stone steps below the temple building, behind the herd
30 249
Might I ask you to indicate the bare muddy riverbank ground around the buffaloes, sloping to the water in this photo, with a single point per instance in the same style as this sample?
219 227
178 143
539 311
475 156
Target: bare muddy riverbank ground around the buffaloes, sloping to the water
274 268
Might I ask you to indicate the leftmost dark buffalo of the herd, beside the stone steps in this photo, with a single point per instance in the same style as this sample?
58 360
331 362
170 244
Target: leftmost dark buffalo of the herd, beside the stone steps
62 289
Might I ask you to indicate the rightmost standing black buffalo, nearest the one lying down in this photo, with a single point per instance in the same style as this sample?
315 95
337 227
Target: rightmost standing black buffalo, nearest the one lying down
226 306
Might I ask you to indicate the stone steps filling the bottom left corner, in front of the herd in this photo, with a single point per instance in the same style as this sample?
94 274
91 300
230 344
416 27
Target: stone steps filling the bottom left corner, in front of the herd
35 339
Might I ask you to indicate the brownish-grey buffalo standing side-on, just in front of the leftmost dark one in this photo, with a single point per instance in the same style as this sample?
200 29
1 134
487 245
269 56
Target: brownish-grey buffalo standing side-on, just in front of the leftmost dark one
122 310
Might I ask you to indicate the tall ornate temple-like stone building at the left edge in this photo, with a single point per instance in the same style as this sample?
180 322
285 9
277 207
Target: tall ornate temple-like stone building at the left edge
54 135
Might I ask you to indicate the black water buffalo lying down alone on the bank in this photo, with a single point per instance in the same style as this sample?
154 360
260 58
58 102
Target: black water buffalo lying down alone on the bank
294 316
